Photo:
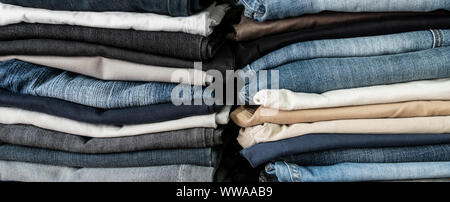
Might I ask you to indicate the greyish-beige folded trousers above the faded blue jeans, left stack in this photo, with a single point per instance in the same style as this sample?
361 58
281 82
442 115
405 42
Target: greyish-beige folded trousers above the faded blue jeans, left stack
111 69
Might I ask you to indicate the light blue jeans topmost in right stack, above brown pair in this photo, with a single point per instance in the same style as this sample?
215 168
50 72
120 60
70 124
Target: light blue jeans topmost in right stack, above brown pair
263 10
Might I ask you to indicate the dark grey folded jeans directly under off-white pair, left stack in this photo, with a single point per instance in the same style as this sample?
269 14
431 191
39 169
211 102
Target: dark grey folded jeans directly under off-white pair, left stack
32 136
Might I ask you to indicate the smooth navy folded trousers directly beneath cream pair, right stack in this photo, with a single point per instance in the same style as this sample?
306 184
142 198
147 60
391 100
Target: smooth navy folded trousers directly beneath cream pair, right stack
265 152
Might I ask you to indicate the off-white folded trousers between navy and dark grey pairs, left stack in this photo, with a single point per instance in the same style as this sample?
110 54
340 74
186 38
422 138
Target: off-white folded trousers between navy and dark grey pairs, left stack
41 120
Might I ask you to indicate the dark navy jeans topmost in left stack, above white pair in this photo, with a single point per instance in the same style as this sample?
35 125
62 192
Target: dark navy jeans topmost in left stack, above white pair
165 7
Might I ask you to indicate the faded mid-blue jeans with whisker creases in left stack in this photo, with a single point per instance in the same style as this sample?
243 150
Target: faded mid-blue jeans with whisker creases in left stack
25 78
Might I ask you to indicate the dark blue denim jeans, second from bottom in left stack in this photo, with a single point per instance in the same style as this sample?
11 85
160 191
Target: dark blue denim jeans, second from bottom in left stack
200 157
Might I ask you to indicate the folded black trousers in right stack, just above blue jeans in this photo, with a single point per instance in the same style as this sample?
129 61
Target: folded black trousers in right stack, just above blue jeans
250 51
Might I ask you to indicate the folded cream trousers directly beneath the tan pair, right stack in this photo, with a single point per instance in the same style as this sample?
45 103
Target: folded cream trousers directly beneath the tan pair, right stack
274 132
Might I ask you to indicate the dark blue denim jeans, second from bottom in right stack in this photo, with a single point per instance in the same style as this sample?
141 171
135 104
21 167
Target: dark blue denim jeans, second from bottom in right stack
428 153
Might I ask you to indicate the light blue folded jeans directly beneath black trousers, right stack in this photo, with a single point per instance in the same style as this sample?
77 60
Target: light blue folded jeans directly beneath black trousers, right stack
353 47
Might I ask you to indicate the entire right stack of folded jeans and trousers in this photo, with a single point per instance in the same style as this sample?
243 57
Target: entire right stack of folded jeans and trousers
361 89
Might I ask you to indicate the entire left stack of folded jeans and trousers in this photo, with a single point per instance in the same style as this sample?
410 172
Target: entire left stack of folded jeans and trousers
88 89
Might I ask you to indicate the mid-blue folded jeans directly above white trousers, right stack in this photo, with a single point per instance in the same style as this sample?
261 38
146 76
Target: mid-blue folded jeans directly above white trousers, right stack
327 74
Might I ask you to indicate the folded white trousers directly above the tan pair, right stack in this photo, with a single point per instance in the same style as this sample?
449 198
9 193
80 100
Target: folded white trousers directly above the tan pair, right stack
401 92
